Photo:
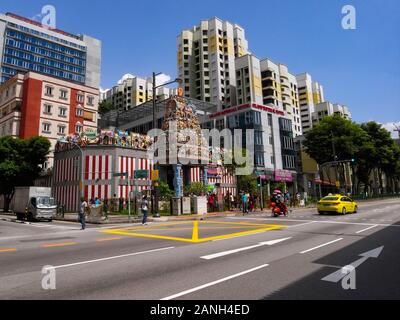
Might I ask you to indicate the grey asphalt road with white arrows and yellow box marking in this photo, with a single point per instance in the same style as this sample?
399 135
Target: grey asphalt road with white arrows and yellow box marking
238 258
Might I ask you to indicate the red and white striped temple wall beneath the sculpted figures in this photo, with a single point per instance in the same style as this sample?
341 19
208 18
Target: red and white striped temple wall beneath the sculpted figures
99 165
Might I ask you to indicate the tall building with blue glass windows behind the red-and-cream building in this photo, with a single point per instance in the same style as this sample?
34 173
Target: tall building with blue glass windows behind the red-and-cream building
27 45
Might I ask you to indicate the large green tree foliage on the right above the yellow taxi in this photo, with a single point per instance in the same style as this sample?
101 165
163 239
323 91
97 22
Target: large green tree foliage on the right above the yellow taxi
369 144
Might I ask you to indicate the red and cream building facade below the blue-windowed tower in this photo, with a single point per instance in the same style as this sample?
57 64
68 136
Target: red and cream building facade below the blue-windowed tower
33 104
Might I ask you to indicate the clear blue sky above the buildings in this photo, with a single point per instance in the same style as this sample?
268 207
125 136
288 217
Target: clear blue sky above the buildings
359 68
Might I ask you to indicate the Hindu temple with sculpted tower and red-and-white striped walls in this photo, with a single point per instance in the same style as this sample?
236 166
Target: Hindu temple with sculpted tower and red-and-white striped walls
89 164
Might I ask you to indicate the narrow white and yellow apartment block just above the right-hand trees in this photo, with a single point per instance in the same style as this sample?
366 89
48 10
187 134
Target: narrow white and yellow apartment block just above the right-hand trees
310 94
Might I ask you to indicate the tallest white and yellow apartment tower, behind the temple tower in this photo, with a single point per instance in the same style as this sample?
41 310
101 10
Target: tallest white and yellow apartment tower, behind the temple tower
206 60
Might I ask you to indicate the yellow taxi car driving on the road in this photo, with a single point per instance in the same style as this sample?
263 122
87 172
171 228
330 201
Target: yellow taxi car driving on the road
337 204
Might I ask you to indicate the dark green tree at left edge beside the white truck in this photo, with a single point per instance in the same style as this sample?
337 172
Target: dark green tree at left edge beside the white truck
20 162
